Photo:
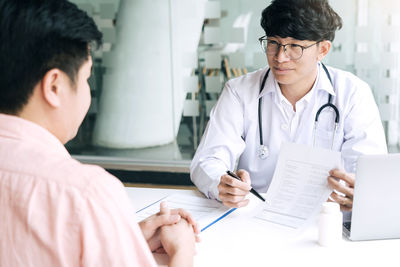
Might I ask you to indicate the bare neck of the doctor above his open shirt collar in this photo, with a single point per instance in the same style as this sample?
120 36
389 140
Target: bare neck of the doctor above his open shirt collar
297 87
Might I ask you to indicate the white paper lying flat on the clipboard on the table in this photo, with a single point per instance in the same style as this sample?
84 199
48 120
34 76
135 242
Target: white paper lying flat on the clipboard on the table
204 211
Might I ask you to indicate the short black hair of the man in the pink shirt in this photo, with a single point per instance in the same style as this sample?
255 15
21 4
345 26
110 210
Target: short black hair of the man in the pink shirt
35 37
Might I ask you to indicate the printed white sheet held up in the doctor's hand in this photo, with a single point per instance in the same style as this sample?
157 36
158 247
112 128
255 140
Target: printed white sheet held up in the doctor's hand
299 185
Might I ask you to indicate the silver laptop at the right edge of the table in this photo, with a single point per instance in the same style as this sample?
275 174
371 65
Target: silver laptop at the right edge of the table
376 203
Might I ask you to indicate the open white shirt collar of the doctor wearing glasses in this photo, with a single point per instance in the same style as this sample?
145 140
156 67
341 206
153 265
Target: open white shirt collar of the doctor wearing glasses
322 83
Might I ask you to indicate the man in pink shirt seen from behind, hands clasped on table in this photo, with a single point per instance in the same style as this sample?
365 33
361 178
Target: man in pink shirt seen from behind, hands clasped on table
55 211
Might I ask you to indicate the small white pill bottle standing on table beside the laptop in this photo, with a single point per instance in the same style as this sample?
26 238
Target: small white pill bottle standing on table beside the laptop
330 225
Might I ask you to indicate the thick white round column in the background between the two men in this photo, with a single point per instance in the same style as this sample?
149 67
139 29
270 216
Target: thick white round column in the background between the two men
142 95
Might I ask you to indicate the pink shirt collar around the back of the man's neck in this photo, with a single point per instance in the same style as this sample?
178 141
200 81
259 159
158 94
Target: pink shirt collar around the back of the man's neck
15 127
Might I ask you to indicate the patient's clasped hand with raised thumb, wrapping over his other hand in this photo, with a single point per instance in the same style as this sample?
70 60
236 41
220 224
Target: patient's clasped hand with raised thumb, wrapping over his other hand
151 226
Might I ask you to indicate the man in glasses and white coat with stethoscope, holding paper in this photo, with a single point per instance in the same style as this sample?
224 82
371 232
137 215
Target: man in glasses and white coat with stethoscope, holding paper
258 111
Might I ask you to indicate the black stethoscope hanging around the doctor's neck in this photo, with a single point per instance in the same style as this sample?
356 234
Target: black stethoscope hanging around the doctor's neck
264 151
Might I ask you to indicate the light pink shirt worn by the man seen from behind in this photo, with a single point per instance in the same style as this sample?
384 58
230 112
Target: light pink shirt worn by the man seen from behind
55 211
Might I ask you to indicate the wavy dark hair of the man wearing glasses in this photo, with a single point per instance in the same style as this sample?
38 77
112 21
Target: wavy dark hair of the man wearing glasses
312 20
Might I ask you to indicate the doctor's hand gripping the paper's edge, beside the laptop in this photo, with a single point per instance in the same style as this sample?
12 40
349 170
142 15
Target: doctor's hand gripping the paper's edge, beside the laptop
347 189
